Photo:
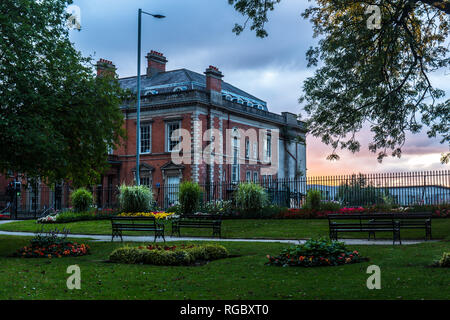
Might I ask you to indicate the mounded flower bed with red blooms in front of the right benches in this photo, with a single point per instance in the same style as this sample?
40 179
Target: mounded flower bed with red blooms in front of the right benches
315 253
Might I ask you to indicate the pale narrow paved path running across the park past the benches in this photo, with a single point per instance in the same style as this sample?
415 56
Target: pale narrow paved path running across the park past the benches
150 239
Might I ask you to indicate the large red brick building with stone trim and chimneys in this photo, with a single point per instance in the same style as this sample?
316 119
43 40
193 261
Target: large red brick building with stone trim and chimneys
250 143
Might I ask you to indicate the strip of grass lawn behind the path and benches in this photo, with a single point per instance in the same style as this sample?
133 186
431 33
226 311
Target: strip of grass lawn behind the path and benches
263 228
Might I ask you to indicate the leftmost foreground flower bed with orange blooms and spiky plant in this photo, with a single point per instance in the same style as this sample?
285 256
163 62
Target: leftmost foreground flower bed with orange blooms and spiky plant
52 245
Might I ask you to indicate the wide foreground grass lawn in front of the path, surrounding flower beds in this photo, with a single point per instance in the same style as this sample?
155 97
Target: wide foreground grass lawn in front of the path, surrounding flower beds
405 274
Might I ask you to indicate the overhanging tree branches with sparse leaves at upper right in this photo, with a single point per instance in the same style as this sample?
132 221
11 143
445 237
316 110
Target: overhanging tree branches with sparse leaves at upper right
371 73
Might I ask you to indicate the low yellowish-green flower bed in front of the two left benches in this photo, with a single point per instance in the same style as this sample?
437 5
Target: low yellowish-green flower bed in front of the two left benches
168 255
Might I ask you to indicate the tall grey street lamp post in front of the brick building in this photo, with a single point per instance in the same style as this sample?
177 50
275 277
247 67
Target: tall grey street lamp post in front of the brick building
138 107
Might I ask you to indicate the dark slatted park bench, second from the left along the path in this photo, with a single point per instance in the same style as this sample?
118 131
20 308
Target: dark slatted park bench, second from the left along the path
198 221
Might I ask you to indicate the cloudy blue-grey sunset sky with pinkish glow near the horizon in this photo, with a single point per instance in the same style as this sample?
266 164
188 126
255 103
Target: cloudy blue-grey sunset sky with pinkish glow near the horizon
198 33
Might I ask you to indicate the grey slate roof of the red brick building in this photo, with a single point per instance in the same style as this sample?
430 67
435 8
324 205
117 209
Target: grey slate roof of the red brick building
183 79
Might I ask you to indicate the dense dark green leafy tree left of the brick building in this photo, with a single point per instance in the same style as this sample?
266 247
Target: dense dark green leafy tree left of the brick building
57 118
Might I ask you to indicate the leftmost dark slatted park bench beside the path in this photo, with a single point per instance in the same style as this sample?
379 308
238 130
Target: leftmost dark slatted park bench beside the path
120 224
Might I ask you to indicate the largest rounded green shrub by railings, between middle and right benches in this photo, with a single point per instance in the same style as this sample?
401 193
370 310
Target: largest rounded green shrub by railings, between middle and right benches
250 198
